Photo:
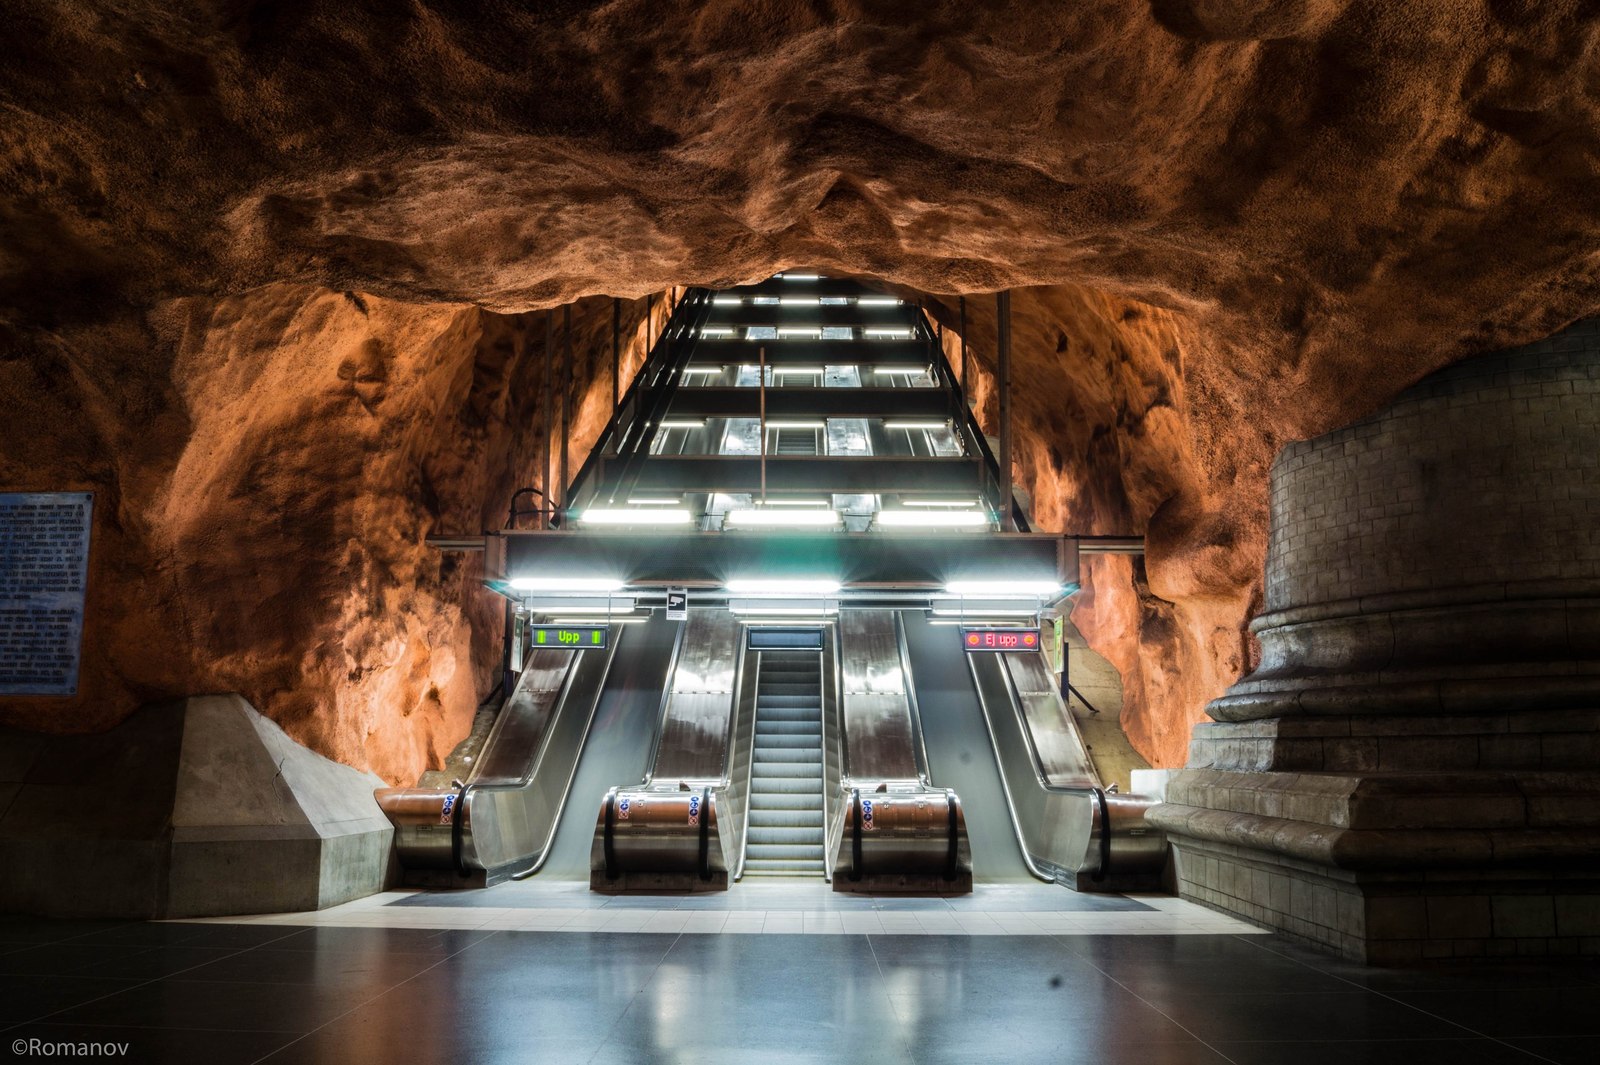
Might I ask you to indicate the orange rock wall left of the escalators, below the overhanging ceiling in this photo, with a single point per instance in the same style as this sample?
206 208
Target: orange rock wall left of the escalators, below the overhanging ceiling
262 514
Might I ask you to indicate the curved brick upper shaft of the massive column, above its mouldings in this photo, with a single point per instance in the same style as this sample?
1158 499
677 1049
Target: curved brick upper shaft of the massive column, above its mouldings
1486 473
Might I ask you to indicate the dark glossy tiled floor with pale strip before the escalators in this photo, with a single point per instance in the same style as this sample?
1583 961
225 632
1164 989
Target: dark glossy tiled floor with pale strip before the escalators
399 984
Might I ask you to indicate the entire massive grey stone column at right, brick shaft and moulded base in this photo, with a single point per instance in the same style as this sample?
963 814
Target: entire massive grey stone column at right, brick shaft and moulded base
1415 768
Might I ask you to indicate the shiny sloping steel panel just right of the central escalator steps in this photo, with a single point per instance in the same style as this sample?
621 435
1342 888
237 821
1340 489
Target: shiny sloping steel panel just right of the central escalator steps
881 741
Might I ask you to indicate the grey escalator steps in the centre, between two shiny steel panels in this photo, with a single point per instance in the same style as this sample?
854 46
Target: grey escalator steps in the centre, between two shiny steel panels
786 832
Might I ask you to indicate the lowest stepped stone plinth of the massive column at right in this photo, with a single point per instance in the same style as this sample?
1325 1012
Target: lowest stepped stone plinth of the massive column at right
1399 868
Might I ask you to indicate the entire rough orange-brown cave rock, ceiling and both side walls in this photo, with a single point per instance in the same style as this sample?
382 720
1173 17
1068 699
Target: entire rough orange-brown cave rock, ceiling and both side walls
1239 223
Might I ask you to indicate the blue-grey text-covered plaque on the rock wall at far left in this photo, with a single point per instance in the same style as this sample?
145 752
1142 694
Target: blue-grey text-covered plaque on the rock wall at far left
44 575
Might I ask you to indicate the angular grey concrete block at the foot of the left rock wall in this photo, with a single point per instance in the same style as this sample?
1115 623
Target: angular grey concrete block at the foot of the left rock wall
199 808
